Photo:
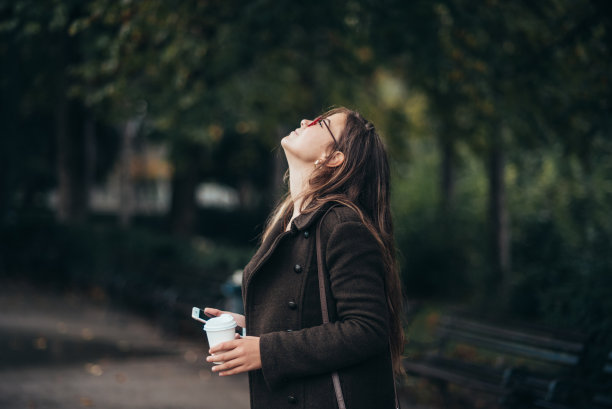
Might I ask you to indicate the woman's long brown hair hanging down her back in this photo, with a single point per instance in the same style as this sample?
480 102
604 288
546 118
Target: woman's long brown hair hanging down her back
361 182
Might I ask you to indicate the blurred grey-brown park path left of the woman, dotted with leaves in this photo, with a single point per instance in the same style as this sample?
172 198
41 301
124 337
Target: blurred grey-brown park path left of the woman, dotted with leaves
64 351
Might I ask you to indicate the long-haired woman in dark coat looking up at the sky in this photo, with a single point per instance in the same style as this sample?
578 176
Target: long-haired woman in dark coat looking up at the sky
338 169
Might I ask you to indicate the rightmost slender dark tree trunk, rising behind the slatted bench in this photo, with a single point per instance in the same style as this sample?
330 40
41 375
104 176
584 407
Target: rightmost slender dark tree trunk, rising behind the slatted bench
499 222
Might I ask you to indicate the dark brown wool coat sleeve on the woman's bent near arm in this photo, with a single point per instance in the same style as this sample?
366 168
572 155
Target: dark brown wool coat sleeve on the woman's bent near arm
356 274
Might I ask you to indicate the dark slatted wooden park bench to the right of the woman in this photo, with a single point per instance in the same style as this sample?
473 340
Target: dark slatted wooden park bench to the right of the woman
517 365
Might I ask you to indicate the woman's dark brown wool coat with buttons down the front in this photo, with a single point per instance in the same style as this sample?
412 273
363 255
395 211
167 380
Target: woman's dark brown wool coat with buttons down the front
282 306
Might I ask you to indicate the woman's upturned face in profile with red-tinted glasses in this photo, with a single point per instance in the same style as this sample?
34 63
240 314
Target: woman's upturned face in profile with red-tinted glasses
313 140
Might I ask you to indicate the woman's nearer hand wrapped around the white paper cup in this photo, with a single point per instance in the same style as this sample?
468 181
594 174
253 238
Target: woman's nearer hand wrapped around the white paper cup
239 355
